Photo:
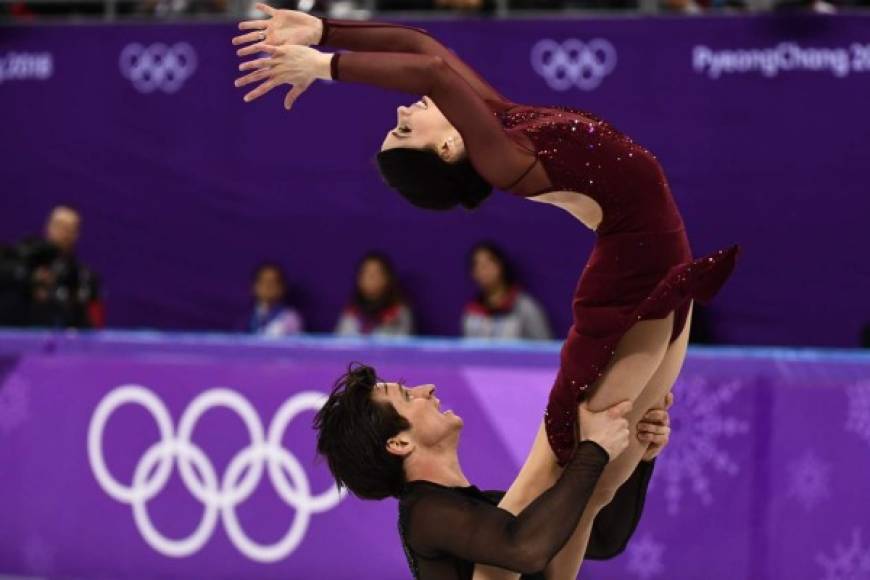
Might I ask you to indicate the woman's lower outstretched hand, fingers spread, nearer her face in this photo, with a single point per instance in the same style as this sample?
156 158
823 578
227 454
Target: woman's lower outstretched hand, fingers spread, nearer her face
293 65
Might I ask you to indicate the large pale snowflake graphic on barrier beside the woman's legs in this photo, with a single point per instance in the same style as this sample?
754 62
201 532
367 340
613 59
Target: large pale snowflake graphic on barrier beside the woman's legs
694 449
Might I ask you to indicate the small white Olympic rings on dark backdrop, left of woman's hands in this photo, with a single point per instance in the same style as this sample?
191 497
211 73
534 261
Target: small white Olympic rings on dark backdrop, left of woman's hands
158 66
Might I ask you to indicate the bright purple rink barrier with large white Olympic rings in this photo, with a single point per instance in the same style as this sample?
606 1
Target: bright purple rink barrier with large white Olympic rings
130 455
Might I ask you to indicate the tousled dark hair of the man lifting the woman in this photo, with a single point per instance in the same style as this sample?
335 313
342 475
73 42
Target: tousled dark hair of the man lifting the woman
352 433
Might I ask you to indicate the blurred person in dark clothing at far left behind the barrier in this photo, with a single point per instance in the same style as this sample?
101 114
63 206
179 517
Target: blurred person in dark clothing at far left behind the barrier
42 283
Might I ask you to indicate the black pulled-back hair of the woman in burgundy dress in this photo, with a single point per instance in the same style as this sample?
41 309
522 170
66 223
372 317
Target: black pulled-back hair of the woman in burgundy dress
429 182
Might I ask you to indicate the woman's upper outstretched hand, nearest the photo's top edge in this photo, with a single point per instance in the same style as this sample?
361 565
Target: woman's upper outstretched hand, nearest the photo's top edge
282 27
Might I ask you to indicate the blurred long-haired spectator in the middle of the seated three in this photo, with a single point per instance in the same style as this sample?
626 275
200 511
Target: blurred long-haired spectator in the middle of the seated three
377 306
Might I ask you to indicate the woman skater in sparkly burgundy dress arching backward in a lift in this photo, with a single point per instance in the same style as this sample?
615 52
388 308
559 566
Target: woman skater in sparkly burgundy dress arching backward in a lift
633 302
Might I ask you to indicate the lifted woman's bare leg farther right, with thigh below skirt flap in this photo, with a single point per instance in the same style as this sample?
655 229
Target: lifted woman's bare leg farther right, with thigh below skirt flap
566 564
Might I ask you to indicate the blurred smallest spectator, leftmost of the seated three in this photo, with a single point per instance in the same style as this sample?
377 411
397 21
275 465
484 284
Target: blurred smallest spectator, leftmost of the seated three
272 316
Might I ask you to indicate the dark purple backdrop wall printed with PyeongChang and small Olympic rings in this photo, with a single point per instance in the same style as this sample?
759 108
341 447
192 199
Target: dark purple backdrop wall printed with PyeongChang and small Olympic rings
759 122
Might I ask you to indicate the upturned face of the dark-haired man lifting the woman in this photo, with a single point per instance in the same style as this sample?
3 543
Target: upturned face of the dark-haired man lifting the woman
430 426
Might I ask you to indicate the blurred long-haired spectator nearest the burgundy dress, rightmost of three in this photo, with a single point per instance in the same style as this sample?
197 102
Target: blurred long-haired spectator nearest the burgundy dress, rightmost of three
501 309
